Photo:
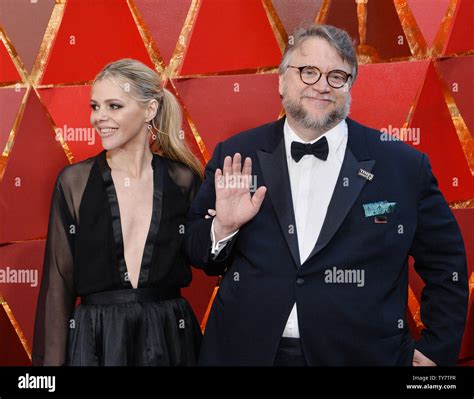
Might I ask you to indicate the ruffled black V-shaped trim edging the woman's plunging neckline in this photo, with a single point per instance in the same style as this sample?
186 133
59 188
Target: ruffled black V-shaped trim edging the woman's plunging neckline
149 246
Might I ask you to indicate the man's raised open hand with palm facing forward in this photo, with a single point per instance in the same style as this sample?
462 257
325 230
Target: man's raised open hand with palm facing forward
235 205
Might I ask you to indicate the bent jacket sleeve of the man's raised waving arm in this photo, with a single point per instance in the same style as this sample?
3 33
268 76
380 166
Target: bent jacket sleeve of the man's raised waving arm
198 229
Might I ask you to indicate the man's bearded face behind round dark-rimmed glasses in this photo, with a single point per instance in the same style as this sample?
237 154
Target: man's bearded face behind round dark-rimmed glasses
317 106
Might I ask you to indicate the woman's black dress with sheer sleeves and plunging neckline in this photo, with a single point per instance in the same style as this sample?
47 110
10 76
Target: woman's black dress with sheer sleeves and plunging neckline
115 324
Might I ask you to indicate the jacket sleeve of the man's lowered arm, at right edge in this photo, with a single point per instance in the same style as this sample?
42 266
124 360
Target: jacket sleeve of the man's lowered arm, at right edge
440 260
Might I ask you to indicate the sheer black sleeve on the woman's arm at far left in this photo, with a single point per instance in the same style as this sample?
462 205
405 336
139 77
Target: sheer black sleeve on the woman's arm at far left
57 298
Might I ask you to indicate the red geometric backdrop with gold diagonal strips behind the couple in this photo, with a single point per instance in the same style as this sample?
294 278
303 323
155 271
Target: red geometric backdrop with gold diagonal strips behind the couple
220 58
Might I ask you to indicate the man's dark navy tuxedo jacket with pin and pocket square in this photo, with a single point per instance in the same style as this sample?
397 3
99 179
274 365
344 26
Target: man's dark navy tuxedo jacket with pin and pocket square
340 322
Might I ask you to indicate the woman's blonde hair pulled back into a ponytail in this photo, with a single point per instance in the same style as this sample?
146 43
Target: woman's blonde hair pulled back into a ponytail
145 82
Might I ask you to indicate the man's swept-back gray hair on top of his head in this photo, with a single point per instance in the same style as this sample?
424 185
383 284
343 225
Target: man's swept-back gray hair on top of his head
339 39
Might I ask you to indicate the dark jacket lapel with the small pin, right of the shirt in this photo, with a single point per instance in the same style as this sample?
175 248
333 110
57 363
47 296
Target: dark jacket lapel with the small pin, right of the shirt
349 184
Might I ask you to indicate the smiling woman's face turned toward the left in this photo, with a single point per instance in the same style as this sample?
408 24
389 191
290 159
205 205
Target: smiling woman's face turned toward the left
118 118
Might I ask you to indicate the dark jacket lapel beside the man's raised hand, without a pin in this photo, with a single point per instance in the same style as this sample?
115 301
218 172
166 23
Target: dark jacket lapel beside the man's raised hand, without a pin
274 168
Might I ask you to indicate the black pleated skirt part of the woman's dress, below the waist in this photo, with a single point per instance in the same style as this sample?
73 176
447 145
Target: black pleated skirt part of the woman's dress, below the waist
124 328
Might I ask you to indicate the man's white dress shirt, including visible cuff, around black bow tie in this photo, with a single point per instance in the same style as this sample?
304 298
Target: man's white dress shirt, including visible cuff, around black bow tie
312 183
